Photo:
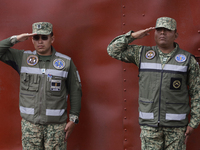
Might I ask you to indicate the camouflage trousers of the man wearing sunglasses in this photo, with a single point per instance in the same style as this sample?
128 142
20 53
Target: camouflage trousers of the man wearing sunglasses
40 137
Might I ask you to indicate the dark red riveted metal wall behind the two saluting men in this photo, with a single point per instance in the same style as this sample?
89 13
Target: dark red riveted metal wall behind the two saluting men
83 29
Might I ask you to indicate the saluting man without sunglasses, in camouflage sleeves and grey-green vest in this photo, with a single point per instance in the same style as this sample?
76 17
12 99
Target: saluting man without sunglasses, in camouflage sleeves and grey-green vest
168 75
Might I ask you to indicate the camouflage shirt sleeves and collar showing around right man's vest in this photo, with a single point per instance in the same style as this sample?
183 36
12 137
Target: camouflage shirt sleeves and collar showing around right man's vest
120 49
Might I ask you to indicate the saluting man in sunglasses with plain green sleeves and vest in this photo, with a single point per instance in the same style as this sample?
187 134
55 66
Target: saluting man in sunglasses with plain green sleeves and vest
47 77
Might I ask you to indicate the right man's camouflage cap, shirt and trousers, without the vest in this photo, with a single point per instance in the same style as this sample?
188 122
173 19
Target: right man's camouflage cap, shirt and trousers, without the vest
152 137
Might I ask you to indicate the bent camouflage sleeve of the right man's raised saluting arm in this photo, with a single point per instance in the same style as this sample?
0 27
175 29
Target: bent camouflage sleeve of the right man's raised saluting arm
119 49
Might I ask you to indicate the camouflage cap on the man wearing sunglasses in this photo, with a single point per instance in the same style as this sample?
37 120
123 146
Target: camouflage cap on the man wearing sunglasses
44 28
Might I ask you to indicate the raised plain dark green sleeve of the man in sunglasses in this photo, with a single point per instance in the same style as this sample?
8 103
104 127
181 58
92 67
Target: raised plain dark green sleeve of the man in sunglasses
9 55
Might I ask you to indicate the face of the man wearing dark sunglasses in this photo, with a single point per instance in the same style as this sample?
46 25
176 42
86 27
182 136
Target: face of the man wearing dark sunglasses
42 44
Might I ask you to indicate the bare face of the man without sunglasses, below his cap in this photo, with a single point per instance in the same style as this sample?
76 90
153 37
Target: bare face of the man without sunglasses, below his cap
165 37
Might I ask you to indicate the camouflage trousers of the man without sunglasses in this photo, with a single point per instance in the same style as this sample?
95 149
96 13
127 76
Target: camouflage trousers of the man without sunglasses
162 138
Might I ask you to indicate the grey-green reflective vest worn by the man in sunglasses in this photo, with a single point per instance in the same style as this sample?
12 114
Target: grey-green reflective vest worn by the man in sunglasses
43 92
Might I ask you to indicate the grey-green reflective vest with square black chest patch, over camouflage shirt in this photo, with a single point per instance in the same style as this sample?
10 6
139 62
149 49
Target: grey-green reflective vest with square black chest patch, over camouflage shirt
163 92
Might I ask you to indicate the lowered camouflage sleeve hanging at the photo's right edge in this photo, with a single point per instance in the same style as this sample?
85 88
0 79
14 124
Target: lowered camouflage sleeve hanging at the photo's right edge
194 91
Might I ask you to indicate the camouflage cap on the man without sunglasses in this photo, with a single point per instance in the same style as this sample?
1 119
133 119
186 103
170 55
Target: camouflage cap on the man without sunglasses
166 22
